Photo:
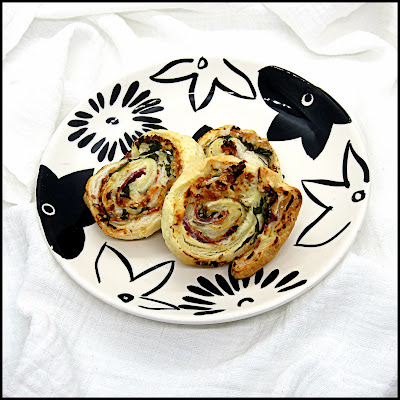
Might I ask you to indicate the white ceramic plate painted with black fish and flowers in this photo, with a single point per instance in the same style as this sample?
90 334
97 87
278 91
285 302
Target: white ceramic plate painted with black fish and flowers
320 151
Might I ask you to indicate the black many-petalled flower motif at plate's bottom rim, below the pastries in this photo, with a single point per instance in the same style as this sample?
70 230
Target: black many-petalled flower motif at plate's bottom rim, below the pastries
216 296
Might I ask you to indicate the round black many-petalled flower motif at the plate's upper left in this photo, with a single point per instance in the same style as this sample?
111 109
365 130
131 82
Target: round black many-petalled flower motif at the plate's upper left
118 119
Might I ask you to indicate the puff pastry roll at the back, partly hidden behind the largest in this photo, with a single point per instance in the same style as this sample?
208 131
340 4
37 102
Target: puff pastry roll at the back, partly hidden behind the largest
242 143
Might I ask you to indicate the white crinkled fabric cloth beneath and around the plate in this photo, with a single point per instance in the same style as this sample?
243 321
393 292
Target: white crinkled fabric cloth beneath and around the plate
337 340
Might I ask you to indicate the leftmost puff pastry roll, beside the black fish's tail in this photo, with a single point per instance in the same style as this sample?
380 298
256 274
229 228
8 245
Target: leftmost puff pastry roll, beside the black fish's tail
126 197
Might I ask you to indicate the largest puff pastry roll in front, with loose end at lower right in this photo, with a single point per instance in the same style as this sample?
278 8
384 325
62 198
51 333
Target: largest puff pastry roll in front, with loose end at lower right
227 210
